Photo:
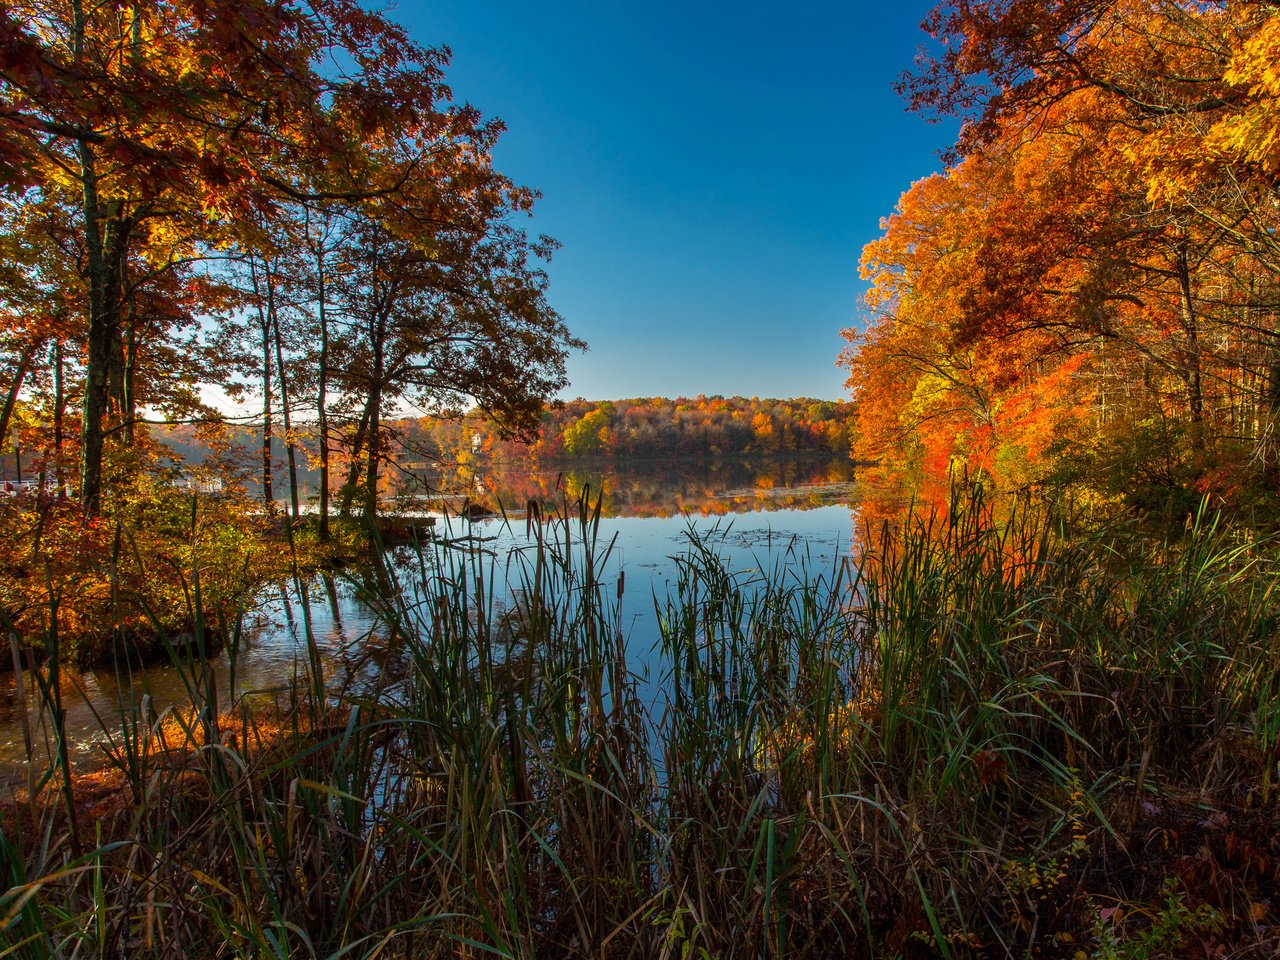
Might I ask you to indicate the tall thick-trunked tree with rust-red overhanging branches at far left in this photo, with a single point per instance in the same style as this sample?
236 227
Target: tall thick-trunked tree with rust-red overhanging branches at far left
177 124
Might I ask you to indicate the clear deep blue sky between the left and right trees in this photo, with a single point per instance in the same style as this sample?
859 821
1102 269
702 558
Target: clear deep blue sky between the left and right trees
711 171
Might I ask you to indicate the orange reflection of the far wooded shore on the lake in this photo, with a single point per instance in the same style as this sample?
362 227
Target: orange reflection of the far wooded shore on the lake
662 490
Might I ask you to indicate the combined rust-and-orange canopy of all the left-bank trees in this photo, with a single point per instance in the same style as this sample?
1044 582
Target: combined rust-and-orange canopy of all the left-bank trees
176 170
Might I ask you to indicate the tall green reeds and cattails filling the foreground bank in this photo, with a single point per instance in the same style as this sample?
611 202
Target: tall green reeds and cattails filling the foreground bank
976 738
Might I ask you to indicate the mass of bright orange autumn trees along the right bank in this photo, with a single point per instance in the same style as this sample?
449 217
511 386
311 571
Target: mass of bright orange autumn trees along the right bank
1091 291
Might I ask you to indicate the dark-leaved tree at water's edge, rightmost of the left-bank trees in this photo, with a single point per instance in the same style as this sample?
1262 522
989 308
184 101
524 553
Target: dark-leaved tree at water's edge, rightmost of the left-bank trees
447 312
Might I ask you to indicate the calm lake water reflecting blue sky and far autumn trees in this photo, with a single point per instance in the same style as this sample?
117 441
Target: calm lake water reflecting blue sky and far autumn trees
758 516
